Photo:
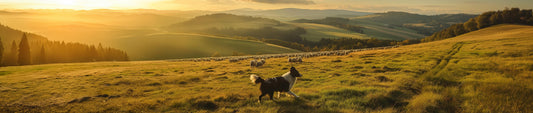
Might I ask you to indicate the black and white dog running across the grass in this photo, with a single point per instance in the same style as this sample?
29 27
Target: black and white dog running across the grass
277 84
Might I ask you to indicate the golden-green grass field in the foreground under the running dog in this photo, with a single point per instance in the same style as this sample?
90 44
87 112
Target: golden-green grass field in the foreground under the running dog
489 70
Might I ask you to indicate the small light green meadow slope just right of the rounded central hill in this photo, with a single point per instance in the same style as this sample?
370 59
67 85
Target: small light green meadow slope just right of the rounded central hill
315 32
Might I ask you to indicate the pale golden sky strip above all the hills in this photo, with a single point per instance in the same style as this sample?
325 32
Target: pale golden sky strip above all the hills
414 6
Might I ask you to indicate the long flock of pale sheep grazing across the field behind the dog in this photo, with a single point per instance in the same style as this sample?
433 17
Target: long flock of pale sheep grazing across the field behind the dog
292 57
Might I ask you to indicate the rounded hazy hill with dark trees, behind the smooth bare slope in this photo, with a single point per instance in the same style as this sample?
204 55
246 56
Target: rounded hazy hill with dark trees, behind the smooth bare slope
230 25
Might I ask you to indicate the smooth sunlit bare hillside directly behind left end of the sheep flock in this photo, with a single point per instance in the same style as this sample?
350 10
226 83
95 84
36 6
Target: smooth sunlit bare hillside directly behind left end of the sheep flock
182 45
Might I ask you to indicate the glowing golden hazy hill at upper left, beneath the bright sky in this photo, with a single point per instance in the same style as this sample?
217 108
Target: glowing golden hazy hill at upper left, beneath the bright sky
95 26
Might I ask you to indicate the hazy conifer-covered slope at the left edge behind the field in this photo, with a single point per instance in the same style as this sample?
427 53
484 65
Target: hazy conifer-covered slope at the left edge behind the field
29 52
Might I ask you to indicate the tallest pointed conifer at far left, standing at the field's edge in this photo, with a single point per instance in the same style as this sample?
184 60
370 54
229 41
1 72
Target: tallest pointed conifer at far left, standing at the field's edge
24 51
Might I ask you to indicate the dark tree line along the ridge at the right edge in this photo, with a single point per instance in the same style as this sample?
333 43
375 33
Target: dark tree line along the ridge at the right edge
487 19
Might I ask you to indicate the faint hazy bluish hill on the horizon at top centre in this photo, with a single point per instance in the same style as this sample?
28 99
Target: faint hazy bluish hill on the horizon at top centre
288 14
